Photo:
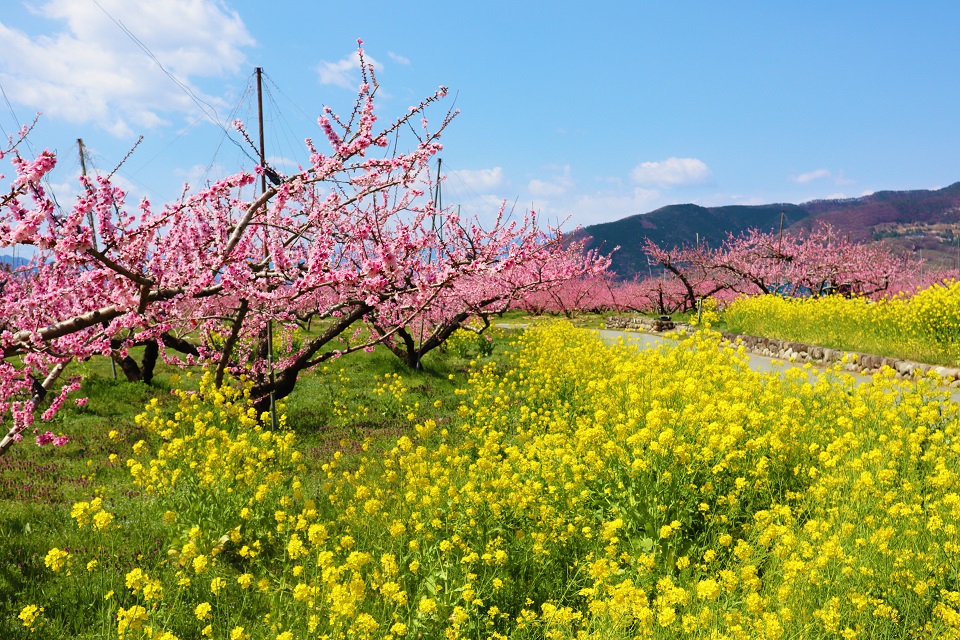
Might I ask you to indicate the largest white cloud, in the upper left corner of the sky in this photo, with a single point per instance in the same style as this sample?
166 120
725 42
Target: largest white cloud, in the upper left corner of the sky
86 69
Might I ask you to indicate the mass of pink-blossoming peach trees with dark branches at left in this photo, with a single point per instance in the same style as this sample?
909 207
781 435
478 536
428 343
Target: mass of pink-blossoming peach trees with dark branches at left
349 240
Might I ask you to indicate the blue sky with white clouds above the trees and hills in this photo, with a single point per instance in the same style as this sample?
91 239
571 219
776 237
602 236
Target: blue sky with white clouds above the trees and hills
583 113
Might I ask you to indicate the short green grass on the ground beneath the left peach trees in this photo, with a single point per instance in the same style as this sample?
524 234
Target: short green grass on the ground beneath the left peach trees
334 408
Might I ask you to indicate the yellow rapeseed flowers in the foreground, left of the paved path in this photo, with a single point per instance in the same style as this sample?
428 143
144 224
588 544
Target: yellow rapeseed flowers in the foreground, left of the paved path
587 492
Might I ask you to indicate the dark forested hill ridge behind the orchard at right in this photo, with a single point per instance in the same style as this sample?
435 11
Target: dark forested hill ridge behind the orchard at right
925 222
